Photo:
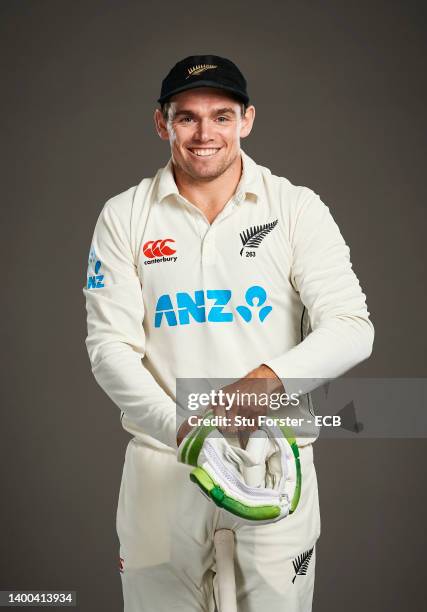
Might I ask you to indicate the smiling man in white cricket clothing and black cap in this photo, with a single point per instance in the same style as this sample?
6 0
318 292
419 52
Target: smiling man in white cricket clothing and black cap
209 270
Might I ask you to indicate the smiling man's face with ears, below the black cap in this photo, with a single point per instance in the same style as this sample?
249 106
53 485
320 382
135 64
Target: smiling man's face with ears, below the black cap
204 130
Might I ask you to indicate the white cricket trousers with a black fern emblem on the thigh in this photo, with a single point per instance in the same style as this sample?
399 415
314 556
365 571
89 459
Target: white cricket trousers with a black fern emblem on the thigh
166 526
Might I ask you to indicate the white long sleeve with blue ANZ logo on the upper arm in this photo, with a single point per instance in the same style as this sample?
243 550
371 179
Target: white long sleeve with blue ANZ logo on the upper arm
116 339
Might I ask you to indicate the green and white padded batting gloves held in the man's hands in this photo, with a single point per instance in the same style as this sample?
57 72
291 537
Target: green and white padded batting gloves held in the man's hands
225 473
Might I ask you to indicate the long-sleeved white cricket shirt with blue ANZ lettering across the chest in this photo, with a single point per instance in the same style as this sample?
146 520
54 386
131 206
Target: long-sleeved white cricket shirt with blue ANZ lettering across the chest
170 296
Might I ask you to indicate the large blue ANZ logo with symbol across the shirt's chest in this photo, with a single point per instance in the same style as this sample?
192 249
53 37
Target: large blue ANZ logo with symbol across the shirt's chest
210 306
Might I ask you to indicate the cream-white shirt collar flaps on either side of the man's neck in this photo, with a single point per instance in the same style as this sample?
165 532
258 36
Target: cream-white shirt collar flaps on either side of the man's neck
250 181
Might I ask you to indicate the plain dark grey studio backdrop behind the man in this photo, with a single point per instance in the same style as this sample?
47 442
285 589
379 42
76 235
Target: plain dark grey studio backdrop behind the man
340 93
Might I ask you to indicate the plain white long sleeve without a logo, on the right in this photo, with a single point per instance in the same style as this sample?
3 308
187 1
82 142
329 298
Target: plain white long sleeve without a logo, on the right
342 334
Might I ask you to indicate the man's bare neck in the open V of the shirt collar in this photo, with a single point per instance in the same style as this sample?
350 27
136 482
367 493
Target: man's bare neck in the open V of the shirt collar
209 196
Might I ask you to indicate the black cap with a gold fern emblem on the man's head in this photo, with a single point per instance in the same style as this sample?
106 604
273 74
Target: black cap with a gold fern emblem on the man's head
204 71
